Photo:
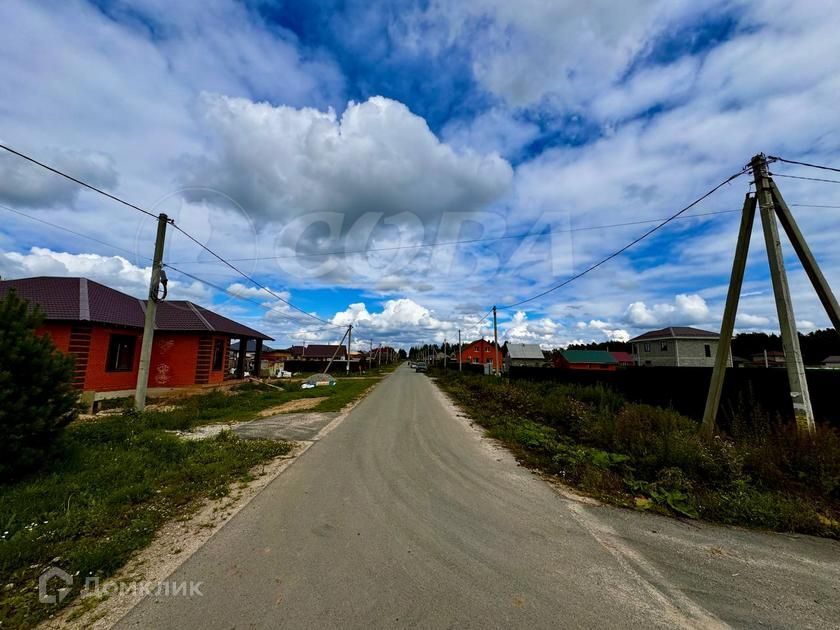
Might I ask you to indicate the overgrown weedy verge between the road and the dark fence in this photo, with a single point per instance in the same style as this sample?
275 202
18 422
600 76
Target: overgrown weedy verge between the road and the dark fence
649 458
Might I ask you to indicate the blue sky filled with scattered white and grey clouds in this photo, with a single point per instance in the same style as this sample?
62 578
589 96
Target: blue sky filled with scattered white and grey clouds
405 166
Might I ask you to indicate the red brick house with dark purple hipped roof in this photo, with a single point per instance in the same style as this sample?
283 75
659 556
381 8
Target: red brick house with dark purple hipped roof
103 328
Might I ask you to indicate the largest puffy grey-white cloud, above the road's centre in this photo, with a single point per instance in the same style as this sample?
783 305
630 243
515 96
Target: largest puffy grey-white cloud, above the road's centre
279 162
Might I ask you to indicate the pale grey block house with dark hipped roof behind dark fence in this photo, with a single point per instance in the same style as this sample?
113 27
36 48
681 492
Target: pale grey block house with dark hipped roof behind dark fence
676 346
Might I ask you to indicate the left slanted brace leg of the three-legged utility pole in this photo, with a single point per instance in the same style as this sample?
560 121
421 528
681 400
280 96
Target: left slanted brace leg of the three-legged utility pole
727 326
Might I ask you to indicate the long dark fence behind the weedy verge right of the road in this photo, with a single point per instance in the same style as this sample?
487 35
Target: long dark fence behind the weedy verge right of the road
761 391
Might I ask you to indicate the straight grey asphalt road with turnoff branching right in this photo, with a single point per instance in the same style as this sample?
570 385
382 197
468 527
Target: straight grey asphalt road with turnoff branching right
404 516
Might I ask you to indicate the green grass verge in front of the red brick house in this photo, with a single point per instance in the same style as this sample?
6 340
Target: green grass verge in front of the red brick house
115 480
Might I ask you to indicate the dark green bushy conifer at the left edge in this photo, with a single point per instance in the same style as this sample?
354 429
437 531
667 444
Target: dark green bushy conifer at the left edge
37 399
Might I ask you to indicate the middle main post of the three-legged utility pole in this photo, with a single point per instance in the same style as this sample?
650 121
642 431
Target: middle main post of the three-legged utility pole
784 306
